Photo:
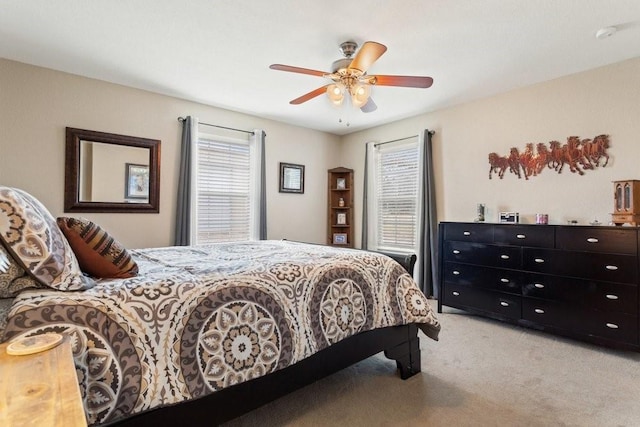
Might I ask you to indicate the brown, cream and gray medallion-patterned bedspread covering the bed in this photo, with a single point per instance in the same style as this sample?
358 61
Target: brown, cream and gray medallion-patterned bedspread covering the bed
198 319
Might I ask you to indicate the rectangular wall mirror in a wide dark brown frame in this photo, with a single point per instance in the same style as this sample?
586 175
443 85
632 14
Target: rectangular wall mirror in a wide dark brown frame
106 172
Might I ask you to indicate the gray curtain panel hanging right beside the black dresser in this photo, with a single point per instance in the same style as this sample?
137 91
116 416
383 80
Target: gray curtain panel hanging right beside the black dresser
428 249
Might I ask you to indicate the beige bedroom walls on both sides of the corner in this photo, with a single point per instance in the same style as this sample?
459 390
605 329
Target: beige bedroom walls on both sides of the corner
36 105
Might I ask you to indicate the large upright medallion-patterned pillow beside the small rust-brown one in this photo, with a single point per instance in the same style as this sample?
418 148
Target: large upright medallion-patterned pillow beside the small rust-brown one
35 242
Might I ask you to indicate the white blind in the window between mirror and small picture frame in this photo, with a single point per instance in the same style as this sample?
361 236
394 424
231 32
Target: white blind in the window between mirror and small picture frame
223 182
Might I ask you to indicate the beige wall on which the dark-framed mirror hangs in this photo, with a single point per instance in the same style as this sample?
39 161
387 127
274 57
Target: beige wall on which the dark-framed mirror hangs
36 104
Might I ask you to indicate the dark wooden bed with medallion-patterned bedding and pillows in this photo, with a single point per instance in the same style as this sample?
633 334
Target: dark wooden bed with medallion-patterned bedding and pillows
201 335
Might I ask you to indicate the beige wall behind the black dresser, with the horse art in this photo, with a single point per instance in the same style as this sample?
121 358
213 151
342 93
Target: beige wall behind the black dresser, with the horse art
600 101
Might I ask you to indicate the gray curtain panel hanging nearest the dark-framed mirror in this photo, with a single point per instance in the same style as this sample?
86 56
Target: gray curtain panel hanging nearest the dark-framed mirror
182 235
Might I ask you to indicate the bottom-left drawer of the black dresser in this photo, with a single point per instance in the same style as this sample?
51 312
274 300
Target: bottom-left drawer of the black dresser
504 305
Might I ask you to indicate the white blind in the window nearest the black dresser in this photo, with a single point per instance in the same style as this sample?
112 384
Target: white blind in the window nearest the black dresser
396 196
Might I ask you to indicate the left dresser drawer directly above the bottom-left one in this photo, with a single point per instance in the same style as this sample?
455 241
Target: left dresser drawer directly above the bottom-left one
483 277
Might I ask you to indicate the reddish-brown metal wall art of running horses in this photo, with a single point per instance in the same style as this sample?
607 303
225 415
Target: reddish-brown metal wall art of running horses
579 155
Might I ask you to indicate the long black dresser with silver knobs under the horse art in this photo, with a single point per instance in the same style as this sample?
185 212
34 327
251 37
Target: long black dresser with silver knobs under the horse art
576 281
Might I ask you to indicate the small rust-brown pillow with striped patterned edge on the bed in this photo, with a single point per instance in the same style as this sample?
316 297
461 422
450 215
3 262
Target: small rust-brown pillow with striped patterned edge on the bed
99 254
